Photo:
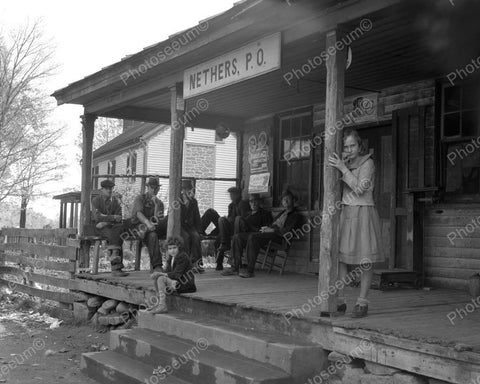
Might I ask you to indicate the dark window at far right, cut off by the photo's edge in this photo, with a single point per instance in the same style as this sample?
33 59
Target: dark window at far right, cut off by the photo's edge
460 142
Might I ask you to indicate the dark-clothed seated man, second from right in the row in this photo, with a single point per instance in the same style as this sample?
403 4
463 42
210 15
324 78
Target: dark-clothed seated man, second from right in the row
256 219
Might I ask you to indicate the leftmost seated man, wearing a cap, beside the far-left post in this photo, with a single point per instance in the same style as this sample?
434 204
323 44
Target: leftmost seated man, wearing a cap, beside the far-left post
107 215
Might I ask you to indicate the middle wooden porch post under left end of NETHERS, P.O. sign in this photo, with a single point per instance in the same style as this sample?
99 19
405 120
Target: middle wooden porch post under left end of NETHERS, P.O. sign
176 157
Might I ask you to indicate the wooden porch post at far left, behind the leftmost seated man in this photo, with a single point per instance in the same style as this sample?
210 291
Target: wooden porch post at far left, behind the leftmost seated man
88 129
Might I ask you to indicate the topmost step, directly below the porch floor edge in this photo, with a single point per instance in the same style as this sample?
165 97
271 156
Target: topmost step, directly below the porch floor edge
287 353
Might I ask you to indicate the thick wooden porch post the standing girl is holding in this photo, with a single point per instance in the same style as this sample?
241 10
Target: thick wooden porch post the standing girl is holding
335 85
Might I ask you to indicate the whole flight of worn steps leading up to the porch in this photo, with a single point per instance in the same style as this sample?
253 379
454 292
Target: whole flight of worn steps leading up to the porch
201 351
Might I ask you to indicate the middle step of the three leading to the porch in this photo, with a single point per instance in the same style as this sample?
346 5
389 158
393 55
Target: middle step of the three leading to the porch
196 362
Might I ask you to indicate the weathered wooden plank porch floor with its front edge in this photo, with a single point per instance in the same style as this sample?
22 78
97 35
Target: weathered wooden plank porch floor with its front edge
409 329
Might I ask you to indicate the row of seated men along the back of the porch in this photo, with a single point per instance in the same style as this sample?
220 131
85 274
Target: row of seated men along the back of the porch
247 226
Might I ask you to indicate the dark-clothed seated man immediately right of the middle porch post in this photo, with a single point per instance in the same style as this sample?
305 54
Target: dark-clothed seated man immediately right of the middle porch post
191 225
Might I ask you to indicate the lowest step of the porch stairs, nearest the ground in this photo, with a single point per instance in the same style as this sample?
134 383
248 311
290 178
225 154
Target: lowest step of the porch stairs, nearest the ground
109 367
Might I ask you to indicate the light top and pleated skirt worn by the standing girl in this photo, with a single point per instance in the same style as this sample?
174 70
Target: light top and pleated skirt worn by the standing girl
360 230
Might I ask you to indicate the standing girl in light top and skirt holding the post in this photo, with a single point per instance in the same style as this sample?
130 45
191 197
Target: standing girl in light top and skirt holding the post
360 233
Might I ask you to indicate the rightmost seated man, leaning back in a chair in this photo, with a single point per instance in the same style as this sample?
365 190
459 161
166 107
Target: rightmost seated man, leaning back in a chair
287 221
